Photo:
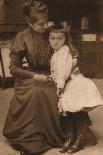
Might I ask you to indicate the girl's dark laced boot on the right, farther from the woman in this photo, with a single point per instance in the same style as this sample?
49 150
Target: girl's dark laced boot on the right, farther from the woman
77 146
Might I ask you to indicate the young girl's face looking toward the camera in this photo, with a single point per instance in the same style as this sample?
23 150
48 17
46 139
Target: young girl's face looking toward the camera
57 40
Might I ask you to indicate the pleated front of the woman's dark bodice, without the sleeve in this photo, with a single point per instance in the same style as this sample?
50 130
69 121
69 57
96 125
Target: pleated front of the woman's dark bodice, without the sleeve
39 57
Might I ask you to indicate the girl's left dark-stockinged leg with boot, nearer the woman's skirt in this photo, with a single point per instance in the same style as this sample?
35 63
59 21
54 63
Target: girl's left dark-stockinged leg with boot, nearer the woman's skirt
70 132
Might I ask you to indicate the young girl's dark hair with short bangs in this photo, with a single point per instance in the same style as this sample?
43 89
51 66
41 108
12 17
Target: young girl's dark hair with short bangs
59 27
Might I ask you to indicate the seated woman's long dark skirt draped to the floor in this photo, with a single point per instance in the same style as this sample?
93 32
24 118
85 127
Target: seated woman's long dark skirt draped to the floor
32 122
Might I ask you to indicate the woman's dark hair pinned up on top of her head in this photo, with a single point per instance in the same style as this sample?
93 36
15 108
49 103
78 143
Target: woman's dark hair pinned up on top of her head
34 8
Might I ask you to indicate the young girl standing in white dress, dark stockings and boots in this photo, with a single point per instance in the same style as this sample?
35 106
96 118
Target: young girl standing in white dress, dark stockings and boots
77 94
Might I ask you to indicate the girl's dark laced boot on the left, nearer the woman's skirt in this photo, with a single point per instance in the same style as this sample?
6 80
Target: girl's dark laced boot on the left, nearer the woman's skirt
67 144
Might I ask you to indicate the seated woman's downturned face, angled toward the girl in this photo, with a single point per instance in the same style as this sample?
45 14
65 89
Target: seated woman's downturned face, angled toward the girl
40 25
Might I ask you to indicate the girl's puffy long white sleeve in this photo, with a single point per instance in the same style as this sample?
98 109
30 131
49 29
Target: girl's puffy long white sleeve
61 66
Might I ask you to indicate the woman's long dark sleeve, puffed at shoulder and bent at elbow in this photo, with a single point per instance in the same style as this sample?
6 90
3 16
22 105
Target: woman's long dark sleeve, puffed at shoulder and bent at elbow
17 54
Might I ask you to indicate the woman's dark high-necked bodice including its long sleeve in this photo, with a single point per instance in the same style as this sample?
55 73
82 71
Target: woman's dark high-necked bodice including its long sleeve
35 48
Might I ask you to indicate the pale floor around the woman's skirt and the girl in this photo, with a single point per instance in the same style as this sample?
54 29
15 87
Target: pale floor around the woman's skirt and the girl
96 117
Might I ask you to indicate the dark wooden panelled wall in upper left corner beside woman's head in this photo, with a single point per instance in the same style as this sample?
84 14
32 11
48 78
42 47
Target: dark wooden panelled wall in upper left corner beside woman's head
11 16
